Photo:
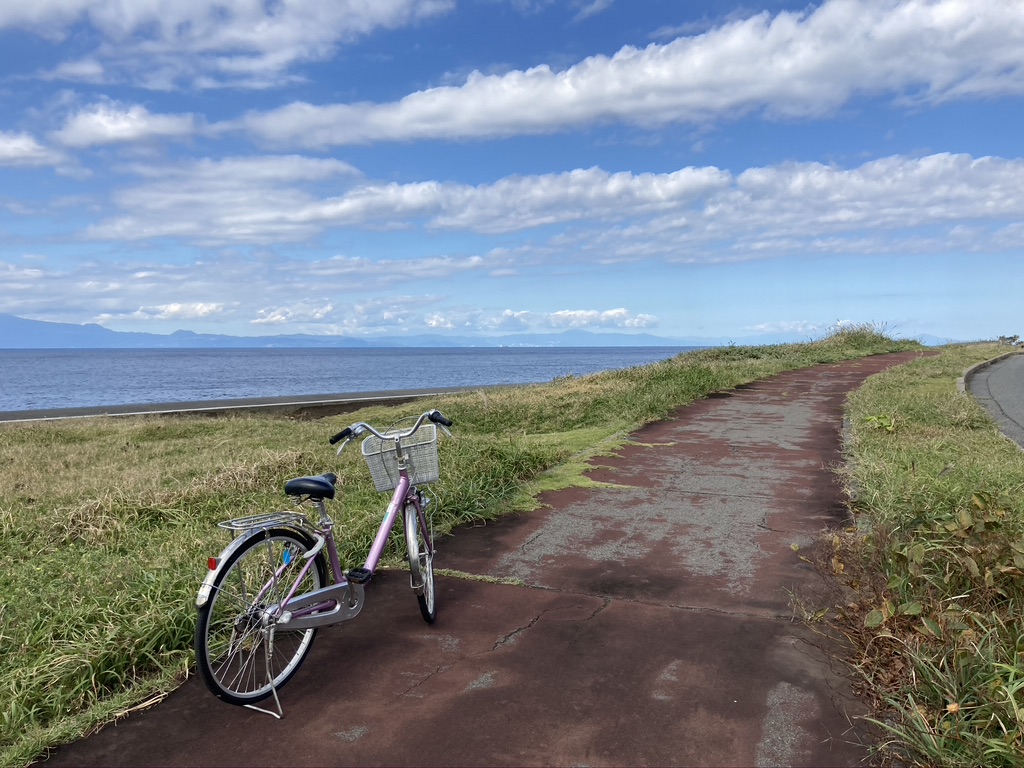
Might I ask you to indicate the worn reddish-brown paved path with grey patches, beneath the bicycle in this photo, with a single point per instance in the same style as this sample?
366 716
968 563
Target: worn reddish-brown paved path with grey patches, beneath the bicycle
655 625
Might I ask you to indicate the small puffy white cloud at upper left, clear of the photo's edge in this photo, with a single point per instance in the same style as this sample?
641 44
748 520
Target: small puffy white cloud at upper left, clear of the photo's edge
110 122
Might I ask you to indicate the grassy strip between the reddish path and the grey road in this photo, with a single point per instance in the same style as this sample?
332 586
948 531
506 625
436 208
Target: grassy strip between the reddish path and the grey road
938 563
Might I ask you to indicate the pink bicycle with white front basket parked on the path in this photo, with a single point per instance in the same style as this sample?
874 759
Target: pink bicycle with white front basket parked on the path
266 595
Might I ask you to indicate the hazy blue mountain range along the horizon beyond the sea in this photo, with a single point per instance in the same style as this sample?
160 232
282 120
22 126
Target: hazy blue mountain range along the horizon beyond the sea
19 333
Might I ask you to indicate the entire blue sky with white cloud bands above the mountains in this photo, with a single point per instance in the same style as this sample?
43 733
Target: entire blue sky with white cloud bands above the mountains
484 167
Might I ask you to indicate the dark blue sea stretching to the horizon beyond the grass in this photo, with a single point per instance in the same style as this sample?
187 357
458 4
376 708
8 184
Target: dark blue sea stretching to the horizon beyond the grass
47 379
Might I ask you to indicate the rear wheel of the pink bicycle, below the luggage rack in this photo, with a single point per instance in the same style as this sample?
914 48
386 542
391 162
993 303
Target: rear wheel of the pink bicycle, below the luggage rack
231 644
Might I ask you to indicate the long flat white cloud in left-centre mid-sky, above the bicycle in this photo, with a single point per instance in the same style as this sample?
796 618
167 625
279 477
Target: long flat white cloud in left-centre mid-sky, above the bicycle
257 200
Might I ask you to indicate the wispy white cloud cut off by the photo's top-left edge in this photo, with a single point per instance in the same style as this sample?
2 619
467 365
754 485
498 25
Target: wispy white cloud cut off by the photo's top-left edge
207 44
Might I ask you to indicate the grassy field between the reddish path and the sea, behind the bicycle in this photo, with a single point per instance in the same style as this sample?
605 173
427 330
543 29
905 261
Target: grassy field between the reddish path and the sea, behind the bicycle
106 525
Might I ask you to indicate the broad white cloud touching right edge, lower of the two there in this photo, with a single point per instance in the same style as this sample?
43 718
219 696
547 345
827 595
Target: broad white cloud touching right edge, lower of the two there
893 205
